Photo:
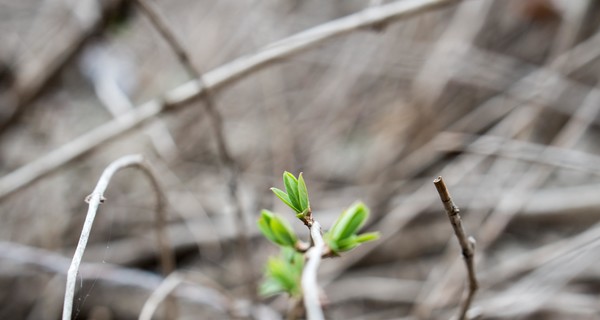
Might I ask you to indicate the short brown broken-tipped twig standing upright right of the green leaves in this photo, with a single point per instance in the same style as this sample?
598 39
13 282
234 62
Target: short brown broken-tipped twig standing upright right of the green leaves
467 244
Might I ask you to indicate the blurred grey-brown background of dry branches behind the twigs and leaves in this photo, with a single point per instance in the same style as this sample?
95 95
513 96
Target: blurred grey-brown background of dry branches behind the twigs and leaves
499 97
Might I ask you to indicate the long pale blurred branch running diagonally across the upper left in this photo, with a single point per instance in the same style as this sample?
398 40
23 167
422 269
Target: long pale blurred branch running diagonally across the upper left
226 74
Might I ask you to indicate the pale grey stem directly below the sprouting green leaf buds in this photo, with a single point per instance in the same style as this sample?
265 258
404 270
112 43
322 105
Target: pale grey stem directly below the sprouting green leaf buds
310 286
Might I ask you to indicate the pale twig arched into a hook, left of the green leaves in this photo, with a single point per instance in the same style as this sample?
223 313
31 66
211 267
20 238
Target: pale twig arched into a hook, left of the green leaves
94 200
